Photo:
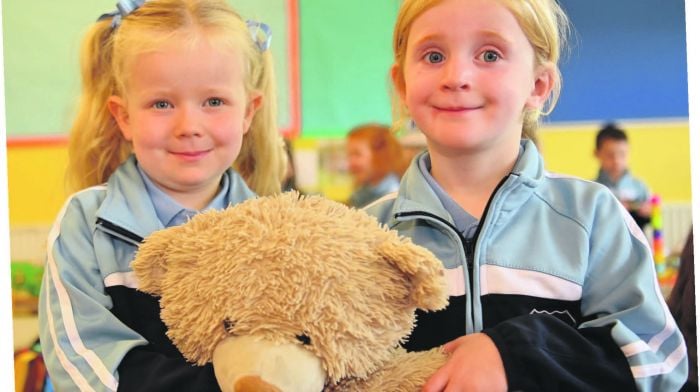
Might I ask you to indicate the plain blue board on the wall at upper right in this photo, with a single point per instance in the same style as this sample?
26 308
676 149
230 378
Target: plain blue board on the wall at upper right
626 59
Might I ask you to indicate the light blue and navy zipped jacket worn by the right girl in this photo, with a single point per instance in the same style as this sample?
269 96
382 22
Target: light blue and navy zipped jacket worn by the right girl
558 275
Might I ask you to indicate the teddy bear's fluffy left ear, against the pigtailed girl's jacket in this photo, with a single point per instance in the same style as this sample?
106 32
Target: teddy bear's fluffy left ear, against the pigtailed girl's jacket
151 259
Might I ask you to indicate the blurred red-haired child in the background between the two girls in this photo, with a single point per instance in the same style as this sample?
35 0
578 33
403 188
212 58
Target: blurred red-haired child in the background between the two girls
375 161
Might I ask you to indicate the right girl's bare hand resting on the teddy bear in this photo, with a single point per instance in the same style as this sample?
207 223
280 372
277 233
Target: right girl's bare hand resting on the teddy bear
474 365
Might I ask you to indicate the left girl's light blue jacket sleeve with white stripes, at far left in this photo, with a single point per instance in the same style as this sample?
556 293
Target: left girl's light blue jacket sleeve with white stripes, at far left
85 346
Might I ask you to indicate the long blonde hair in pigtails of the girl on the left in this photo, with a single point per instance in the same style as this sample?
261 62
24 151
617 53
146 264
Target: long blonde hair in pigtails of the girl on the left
96 147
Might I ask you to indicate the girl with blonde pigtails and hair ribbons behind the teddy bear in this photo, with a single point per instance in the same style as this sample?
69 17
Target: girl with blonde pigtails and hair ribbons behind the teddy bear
176 116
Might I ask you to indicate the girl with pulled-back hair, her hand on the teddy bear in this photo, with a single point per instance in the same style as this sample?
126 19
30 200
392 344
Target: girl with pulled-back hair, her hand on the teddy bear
552 285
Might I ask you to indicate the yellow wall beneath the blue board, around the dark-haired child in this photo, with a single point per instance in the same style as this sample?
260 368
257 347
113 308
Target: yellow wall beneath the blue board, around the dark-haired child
659 154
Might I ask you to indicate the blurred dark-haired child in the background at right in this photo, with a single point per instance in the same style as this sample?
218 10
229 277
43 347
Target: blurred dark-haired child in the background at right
612 151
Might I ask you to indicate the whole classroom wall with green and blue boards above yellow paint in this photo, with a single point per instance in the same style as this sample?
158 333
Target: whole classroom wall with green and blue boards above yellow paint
627 62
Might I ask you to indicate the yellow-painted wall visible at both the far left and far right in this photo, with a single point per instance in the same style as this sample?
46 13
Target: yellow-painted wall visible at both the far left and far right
660 155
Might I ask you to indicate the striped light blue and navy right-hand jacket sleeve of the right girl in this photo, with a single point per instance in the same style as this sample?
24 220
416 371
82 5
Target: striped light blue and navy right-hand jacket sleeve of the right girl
627 338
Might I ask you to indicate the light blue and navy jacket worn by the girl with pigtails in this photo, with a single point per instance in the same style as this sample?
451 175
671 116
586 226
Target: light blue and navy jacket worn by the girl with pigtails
98 333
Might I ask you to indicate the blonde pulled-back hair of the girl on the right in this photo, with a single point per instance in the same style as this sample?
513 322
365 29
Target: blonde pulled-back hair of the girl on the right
544 23
